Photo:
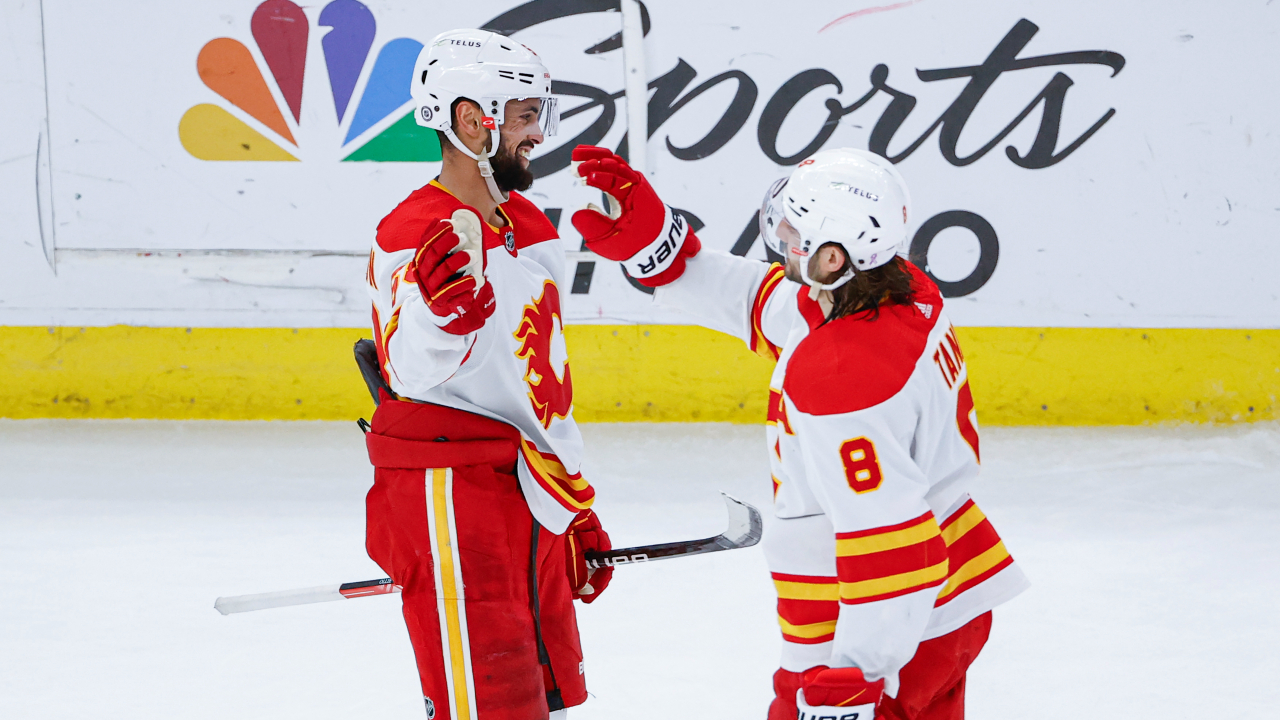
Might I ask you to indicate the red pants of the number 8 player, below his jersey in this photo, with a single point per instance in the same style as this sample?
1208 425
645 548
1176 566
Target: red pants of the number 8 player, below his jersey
931 685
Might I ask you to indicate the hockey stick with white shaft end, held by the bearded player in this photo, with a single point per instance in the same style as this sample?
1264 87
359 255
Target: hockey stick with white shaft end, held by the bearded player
744 531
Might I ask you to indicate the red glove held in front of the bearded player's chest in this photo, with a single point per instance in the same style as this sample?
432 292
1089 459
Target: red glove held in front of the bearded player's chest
450 293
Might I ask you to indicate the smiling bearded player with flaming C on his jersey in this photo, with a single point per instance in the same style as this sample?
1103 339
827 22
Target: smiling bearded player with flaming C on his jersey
479 509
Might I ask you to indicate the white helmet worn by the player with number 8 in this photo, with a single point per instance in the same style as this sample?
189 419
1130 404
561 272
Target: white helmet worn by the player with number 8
854 199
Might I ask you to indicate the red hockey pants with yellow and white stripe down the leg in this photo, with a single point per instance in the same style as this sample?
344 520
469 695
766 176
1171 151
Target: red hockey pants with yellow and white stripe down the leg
447 522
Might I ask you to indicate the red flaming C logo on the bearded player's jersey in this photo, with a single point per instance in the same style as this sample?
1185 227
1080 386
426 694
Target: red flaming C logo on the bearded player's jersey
542 347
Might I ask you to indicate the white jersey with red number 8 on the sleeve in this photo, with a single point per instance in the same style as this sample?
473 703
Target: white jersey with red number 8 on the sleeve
874 445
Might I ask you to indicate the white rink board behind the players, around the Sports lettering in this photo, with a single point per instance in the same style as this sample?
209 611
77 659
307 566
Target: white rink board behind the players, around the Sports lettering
1167 217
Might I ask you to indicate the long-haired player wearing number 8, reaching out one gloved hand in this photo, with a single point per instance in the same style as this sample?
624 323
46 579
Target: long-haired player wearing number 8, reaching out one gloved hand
886 571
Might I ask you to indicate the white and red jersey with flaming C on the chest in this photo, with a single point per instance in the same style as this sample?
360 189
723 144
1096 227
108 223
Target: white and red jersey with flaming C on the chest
513 370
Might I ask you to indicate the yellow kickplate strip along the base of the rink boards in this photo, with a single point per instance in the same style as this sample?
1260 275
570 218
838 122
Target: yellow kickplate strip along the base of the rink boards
627 373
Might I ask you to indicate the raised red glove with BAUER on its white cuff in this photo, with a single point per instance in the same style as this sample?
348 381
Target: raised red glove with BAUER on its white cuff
639 231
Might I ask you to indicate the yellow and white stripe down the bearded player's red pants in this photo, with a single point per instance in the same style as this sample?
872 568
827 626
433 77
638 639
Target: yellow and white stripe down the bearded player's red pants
450 593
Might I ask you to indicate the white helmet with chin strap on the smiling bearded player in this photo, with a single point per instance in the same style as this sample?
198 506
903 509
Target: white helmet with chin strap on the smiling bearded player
490 70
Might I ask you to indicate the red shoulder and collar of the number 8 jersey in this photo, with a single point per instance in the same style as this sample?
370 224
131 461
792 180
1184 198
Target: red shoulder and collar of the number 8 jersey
861 362
